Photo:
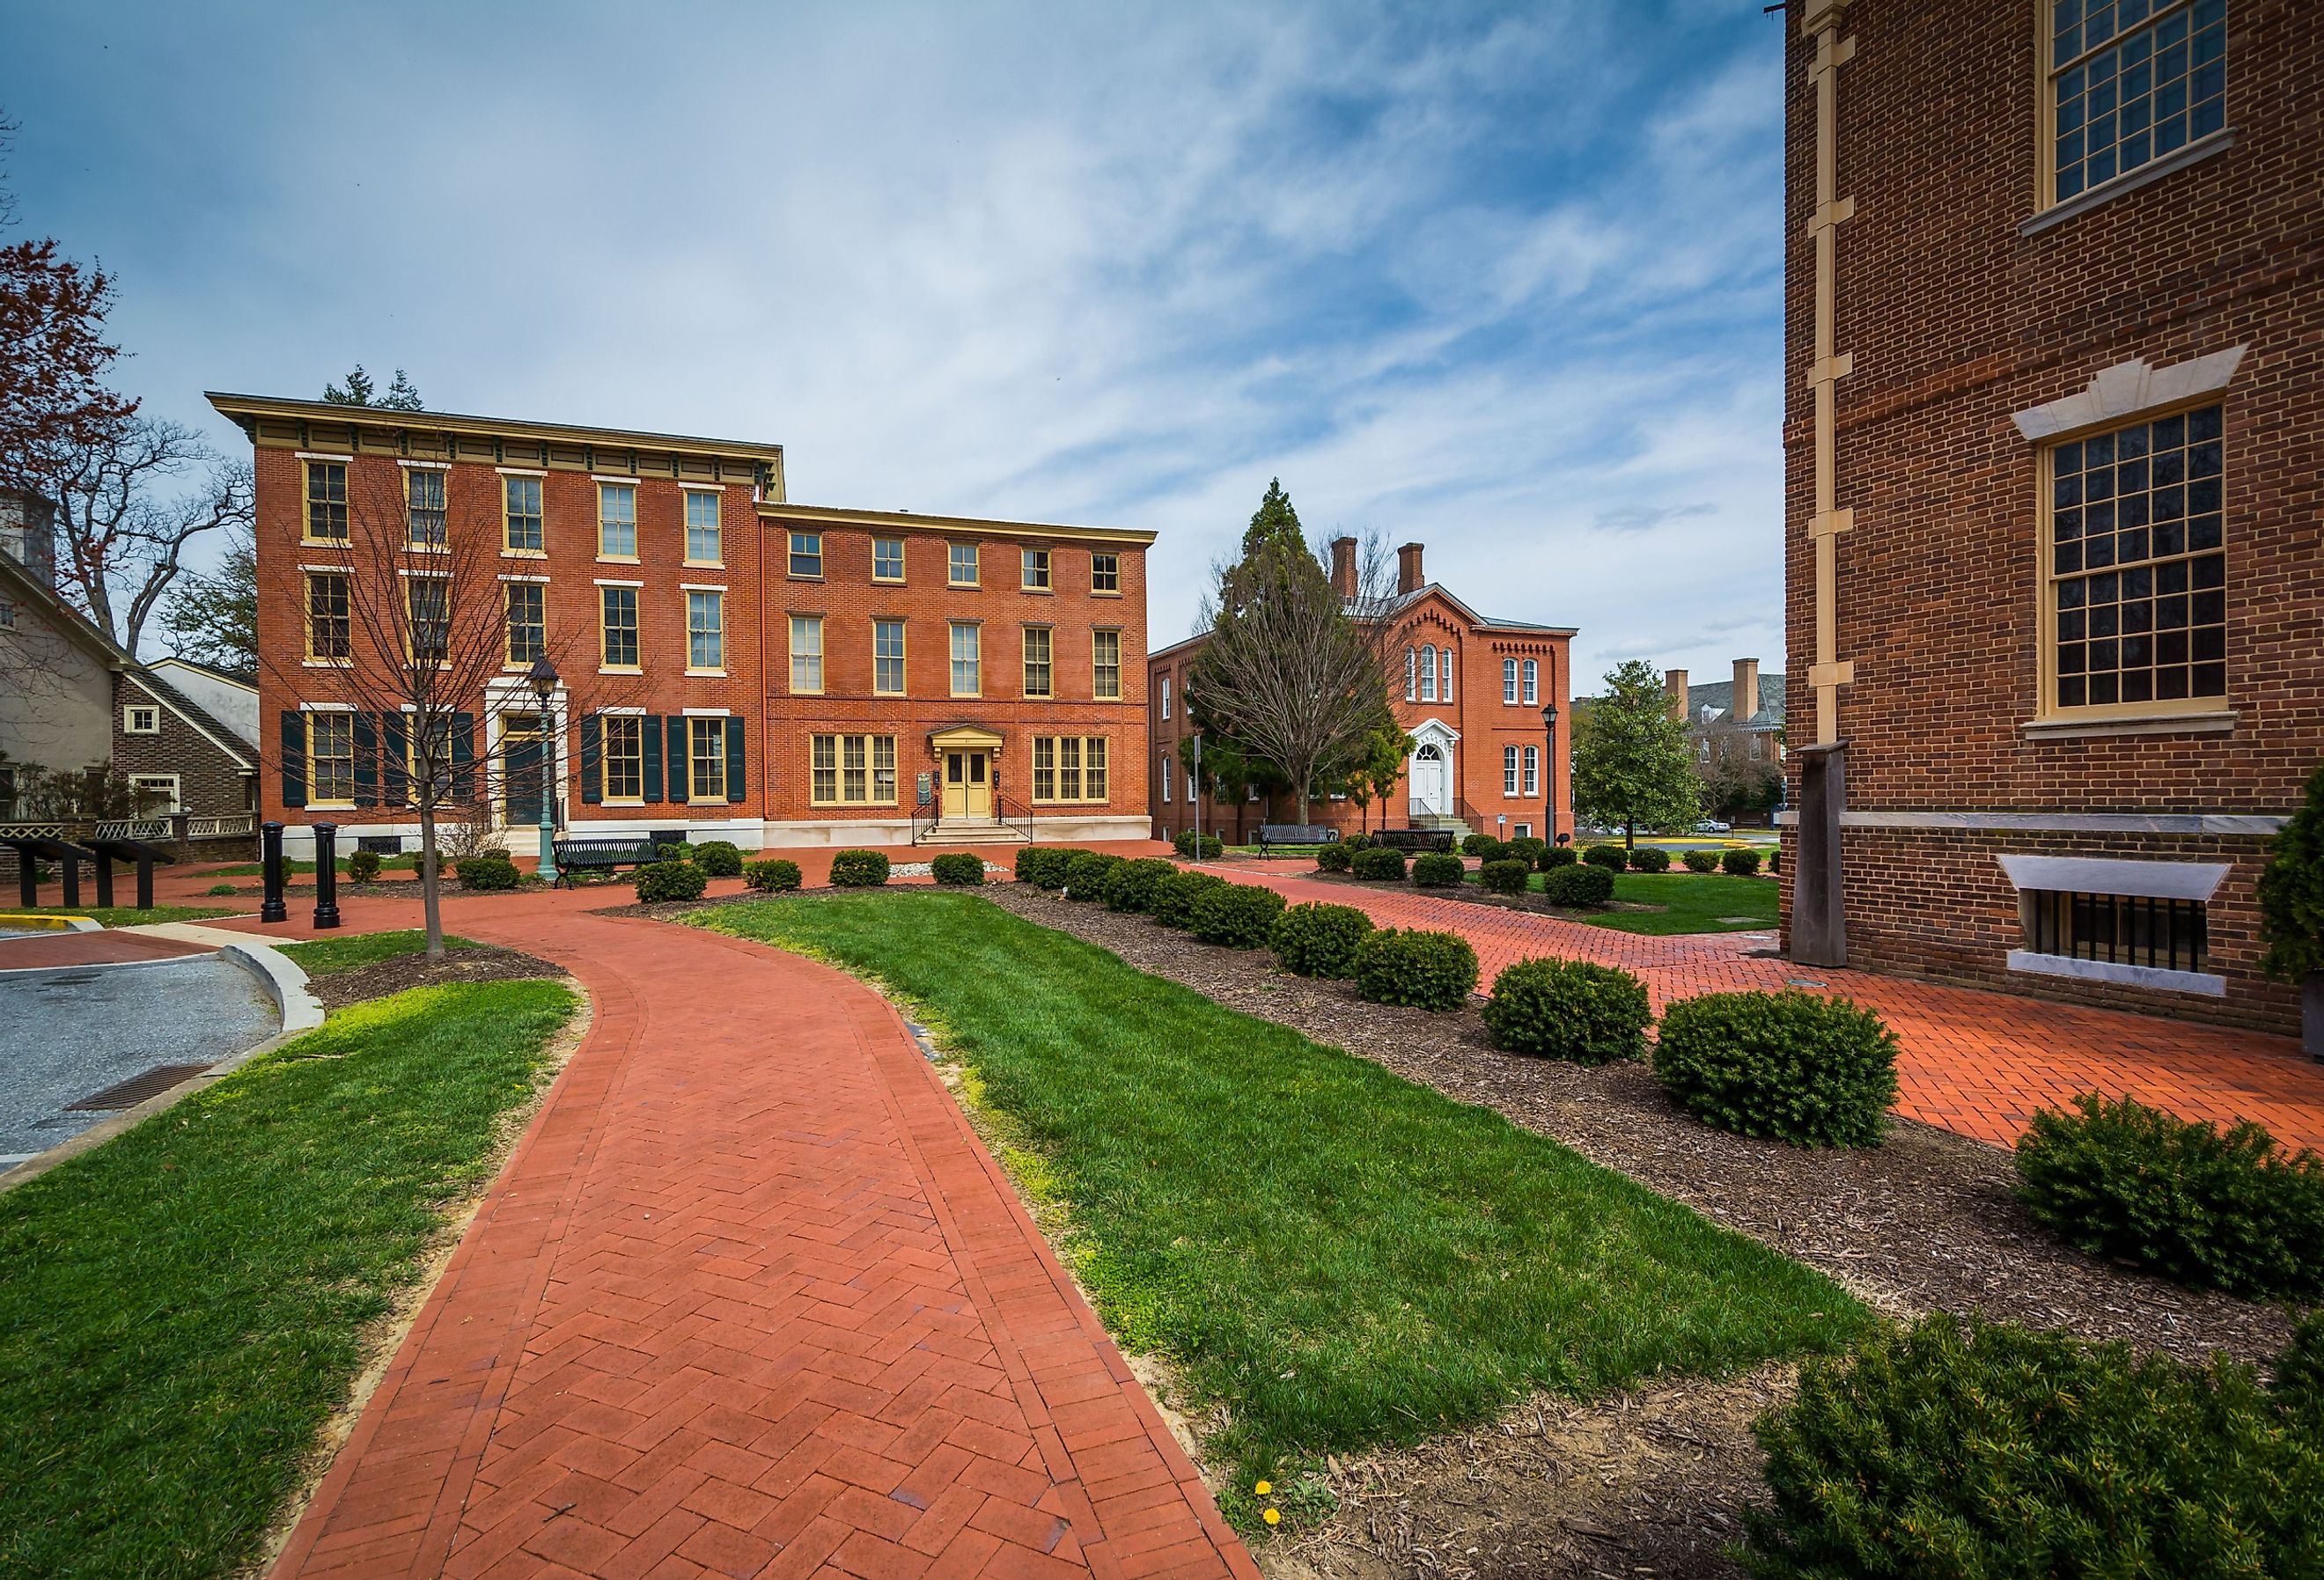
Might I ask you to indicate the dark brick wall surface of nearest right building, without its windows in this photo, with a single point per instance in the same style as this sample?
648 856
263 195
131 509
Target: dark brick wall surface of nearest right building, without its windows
1960 303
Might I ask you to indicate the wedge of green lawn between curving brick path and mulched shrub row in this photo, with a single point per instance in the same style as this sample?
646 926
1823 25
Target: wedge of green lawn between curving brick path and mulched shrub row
1335 1254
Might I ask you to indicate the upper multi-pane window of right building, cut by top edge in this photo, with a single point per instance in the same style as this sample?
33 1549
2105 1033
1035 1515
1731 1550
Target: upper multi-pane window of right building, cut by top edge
2130 82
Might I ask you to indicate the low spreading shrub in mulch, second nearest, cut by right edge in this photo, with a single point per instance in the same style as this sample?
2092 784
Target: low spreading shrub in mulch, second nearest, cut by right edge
2209 1207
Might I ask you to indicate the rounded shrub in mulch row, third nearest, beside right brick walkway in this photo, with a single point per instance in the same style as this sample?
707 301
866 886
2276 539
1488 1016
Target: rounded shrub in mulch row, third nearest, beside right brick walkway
1781 1065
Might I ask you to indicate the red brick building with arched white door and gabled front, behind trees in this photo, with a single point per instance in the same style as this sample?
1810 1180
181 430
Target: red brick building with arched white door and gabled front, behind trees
1489 705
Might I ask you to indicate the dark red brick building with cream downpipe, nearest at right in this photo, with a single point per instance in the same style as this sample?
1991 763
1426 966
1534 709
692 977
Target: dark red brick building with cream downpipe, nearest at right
2056 457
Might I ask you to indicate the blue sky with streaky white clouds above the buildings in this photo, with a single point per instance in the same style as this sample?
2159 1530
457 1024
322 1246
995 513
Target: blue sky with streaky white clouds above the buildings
1498 280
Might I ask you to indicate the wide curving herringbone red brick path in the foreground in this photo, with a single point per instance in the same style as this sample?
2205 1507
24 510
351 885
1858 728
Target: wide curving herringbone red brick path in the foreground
749 1300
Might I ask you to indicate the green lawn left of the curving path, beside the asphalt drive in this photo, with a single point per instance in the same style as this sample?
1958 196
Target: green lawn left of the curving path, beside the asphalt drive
180 1307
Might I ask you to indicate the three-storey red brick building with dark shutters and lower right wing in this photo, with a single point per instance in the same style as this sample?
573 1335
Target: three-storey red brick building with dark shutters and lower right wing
729 666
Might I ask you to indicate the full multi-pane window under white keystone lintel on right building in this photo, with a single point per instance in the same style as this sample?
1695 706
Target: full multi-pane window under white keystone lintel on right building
2137 566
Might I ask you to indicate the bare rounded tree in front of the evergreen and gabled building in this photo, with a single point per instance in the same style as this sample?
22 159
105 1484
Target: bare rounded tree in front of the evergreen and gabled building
1296 668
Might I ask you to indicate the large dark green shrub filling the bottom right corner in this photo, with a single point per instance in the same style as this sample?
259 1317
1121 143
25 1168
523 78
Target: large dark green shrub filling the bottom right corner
1984 1449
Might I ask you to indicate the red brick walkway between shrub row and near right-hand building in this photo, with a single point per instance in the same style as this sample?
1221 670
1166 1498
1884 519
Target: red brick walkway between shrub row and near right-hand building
1977 1063
